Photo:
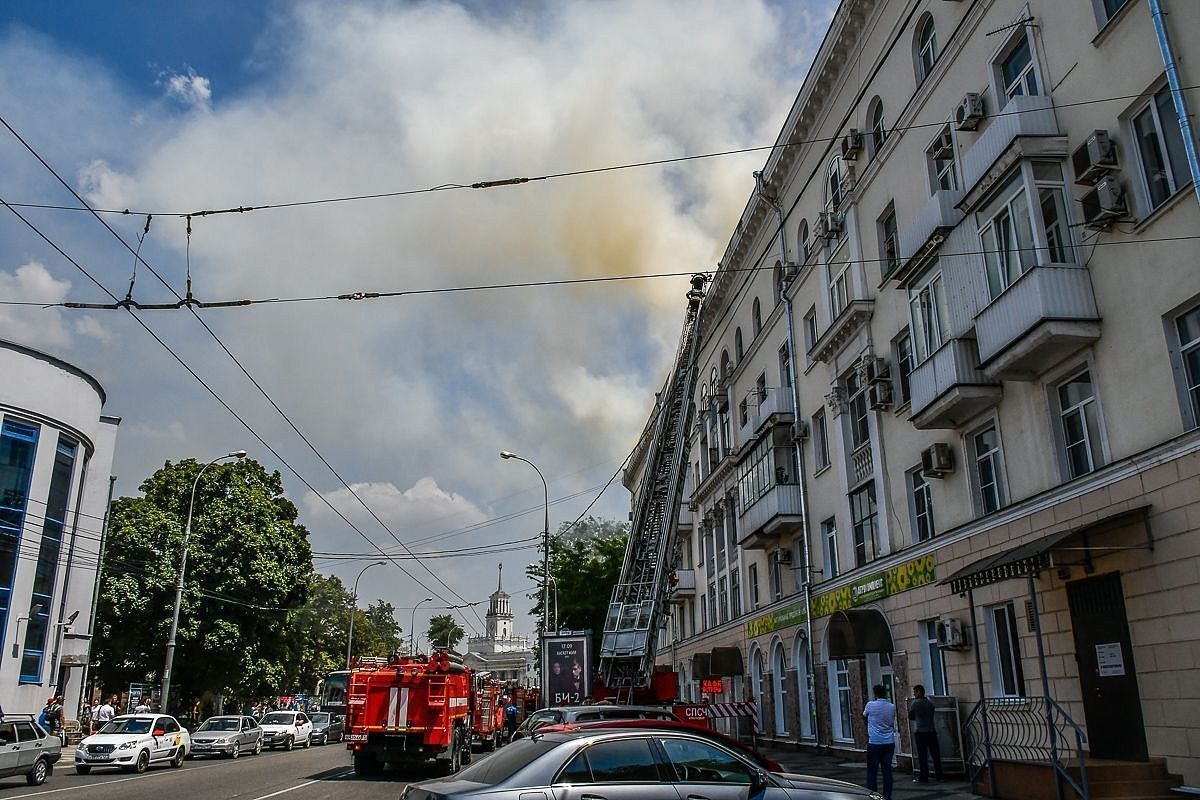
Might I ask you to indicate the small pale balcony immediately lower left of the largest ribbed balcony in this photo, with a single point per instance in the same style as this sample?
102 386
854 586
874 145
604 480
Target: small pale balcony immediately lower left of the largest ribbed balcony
949 388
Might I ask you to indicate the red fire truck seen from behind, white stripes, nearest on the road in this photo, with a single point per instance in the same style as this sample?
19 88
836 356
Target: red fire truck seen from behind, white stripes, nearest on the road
409 712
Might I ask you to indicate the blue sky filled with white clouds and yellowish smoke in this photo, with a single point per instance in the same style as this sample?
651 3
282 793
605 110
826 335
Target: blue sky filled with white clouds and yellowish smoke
177 109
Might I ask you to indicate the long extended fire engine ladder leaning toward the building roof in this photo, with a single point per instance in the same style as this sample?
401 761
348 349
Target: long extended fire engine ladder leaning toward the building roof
635 613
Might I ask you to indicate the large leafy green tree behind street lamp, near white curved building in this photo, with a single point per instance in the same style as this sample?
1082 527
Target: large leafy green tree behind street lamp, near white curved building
248 560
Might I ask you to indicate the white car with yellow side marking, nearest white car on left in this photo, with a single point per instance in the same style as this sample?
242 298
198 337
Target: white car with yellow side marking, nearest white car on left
133 743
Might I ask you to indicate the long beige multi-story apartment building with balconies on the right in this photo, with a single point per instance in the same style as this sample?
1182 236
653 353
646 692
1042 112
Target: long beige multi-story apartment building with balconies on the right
950 387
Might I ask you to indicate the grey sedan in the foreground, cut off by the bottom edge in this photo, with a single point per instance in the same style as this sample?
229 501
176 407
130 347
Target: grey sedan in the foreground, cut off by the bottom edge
634 765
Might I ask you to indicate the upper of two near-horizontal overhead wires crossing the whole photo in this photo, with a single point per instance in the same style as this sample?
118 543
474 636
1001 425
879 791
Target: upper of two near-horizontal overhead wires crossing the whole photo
547 177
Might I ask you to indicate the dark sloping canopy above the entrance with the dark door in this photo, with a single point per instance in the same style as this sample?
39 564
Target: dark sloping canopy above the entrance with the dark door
1031 558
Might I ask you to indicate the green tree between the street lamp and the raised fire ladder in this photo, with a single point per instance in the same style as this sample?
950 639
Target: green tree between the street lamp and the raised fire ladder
585 562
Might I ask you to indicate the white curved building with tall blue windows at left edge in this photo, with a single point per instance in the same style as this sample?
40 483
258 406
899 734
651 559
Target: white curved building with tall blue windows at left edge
56 459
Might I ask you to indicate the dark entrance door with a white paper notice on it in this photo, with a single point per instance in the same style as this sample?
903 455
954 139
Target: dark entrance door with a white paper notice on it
1107 675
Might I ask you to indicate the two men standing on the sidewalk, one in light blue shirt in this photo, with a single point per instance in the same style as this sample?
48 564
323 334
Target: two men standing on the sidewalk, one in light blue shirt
881 738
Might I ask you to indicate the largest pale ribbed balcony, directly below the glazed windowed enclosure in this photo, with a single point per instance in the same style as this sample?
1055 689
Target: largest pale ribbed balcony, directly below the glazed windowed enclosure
1045 316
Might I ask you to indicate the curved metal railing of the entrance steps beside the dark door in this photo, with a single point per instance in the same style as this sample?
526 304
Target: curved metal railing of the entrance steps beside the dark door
1033 730
